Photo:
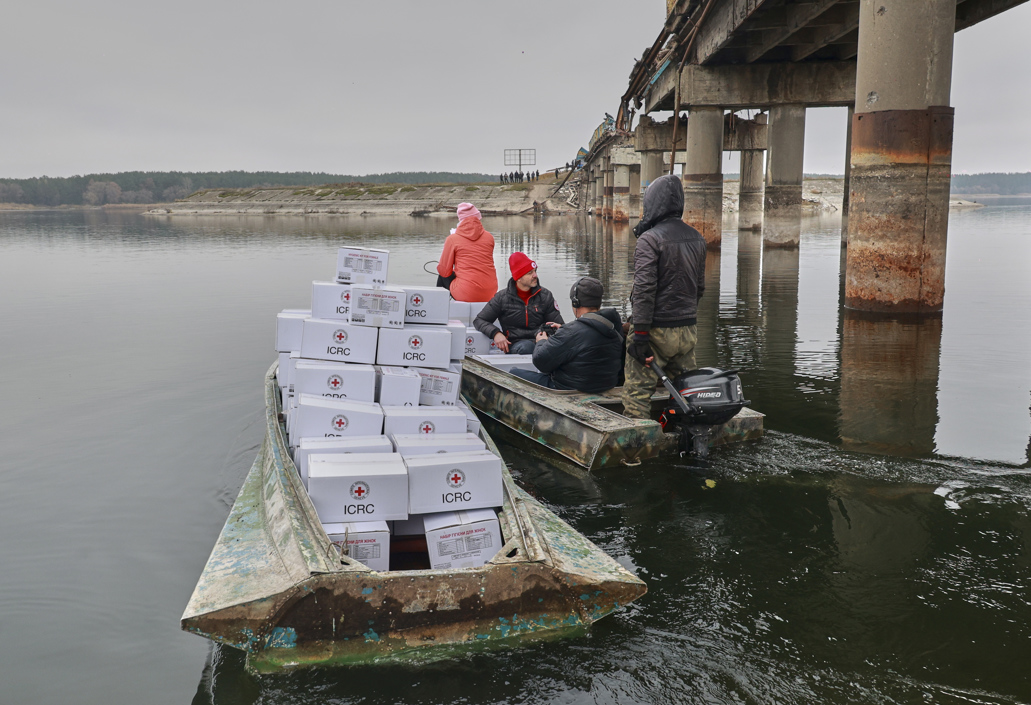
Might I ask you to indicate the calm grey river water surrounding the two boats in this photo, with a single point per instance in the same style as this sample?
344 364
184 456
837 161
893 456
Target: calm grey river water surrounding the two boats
873 549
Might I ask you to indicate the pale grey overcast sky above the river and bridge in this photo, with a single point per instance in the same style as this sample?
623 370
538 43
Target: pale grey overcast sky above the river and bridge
369 87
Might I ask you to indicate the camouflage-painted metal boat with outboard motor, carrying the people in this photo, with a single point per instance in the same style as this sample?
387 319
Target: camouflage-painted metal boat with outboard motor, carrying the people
586 429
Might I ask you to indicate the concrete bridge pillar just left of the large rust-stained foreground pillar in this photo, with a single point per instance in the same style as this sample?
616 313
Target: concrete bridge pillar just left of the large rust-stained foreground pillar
783 198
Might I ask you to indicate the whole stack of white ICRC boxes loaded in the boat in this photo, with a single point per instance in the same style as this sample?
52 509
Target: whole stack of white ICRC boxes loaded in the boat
371 380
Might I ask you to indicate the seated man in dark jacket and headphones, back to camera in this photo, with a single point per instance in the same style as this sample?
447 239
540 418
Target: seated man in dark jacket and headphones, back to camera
585 355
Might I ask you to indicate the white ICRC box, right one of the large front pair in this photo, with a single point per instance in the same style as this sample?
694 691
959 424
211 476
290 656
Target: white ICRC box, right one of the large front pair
454 481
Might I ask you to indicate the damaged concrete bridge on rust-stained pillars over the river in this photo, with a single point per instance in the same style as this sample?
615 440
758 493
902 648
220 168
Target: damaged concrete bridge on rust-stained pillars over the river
888 61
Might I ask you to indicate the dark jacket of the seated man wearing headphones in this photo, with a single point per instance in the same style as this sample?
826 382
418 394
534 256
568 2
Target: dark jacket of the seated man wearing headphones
585 355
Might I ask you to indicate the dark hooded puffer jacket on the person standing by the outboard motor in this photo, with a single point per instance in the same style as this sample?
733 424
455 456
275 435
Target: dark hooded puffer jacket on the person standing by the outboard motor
670 261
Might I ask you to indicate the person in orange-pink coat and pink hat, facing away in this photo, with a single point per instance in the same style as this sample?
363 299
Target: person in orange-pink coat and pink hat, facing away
469 256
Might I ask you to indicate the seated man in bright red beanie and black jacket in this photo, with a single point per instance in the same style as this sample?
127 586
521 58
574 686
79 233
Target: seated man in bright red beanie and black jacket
522 308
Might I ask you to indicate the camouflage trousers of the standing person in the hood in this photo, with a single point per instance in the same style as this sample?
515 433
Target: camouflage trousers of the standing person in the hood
675 351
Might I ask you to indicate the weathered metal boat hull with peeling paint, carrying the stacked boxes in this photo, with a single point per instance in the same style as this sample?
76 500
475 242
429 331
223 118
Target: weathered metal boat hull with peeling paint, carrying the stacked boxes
278 589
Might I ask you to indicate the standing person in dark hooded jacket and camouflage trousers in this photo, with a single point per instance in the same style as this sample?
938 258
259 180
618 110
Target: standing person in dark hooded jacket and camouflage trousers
670 278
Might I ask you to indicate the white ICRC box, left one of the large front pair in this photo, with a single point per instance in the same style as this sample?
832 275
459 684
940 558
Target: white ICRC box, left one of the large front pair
362 487
